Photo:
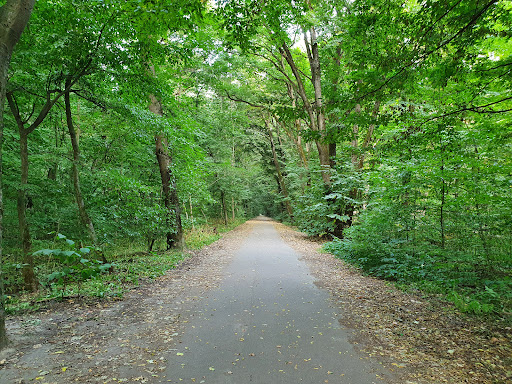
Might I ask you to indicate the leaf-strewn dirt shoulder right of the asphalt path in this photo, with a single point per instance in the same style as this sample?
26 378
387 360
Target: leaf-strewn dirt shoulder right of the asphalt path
423 338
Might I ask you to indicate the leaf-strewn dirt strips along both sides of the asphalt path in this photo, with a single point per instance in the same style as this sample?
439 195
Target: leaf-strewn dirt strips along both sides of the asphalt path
421 339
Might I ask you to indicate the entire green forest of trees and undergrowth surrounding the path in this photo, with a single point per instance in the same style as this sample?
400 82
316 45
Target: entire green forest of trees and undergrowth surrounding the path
133 129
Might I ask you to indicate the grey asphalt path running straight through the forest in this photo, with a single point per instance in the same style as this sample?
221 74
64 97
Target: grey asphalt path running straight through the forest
269 323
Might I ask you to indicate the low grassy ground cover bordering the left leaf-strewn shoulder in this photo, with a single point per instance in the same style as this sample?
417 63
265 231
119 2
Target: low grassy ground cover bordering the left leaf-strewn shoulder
132 265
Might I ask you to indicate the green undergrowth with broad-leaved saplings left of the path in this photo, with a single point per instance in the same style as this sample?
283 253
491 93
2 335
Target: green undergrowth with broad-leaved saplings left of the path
70 272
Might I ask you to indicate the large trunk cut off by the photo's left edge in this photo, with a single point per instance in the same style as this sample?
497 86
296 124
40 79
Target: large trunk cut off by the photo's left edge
14 16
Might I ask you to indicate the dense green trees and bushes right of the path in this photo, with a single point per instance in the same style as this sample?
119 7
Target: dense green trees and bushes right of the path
416 99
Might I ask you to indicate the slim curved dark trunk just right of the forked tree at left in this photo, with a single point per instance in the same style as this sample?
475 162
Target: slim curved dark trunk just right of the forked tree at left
82 211
